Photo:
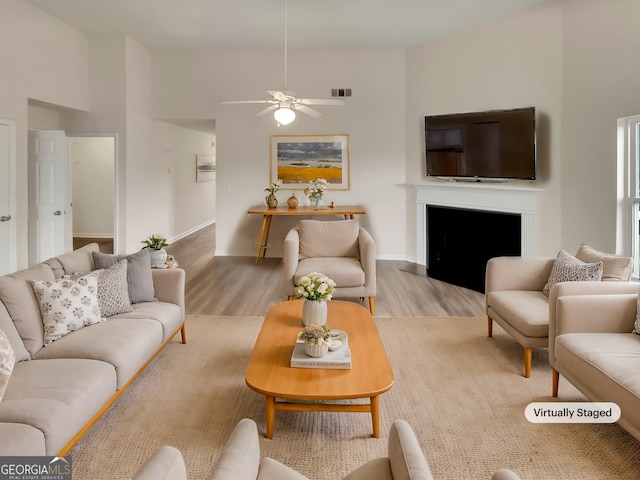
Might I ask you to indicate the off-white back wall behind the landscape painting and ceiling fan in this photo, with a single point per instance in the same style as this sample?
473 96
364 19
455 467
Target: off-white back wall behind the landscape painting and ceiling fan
192 85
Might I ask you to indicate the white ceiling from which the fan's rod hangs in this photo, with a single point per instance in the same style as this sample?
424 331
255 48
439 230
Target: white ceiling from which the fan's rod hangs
259 24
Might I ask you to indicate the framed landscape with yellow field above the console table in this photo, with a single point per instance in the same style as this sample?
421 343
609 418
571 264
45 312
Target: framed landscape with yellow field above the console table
300 159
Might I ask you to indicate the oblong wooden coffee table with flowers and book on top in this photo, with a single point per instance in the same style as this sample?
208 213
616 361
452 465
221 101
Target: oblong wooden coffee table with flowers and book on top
270 374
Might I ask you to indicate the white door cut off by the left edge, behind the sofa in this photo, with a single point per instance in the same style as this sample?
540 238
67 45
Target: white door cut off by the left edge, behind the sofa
8 252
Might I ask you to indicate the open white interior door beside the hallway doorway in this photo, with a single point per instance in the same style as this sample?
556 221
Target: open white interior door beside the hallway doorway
49 197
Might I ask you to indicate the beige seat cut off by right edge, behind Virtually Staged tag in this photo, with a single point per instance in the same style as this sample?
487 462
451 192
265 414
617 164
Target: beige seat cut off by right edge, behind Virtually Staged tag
591 344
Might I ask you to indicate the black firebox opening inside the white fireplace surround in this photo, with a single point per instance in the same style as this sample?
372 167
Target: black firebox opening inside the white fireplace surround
460 242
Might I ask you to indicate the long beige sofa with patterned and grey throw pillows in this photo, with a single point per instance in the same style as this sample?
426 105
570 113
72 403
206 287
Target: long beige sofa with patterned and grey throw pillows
59 388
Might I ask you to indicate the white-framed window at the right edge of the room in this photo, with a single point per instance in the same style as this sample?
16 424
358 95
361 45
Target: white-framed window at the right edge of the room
628 190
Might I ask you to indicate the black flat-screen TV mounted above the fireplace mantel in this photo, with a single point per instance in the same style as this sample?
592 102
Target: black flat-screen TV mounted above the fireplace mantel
498 144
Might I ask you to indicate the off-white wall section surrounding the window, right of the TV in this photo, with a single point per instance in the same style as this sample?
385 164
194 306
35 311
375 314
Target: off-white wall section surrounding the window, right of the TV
601 83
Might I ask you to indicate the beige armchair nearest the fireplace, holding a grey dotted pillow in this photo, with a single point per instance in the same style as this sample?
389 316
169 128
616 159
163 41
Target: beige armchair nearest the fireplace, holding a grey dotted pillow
515 300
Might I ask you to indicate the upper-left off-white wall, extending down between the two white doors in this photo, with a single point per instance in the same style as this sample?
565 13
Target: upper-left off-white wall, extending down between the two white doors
34 67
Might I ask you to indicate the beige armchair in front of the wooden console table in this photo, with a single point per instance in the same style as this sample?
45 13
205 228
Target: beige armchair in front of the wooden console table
341 249
